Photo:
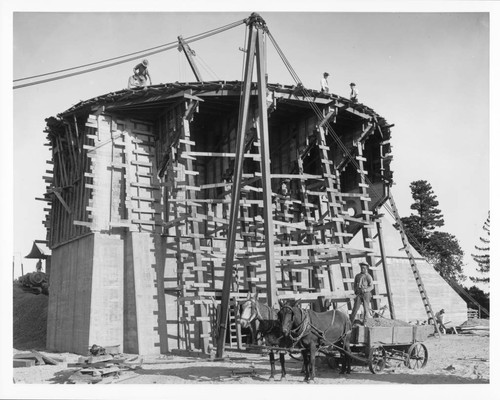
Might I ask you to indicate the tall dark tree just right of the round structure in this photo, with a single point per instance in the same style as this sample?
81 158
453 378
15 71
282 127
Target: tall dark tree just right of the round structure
441 249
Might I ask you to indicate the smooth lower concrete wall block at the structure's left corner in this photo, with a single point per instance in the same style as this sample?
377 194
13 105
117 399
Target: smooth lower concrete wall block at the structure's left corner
103 291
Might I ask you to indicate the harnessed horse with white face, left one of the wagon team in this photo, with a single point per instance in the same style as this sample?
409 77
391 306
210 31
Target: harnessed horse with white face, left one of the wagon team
267 324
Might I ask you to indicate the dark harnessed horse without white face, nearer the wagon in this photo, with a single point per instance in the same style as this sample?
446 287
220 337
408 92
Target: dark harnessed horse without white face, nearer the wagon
313 331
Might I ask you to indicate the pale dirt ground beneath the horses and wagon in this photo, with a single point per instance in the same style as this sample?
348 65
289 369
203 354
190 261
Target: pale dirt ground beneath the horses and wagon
453 359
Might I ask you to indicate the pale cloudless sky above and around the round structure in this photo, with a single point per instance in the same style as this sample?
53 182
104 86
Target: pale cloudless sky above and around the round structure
424 66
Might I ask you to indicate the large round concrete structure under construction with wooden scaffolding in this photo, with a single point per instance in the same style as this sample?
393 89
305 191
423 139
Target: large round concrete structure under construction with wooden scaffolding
167 204
